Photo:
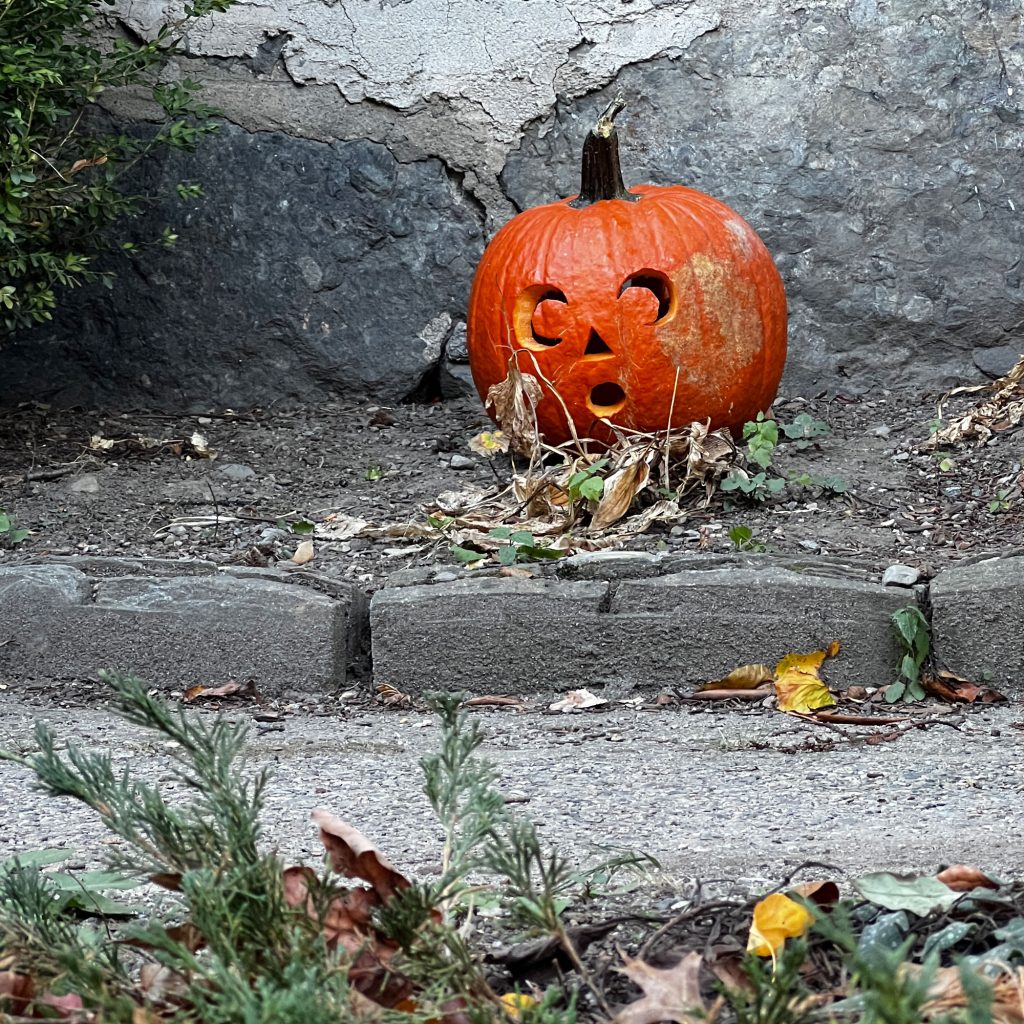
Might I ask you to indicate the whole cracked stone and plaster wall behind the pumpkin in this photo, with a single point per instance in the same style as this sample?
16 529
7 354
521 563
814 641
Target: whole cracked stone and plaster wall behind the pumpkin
372 146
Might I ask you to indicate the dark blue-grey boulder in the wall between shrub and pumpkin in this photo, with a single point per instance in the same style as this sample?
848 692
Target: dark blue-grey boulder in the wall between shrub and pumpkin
307 270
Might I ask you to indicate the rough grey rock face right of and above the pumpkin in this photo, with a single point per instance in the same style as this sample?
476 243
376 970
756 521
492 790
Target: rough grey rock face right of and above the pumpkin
877 154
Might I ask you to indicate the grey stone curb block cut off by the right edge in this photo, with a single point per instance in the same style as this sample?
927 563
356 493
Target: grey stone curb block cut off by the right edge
978 622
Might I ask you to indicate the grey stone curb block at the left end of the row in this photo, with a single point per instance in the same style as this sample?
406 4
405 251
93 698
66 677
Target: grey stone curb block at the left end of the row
63 624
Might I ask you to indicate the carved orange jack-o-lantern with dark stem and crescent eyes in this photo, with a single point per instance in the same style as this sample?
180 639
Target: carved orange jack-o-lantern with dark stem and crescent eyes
648 308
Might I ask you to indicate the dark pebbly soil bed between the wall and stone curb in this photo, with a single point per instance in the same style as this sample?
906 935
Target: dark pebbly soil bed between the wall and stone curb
903 503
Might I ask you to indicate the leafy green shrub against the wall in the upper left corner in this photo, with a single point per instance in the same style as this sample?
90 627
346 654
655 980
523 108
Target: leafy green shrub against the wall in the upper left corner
62 185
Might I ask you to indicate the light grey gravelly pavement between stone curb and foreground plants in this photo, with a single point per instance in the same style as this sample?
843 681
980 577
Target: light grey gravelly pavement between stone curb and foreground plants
744 794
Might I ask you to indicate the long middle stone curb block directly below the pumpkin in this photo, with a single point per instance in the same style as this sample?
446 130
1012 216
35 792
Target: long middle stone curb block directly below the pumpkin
507 635
